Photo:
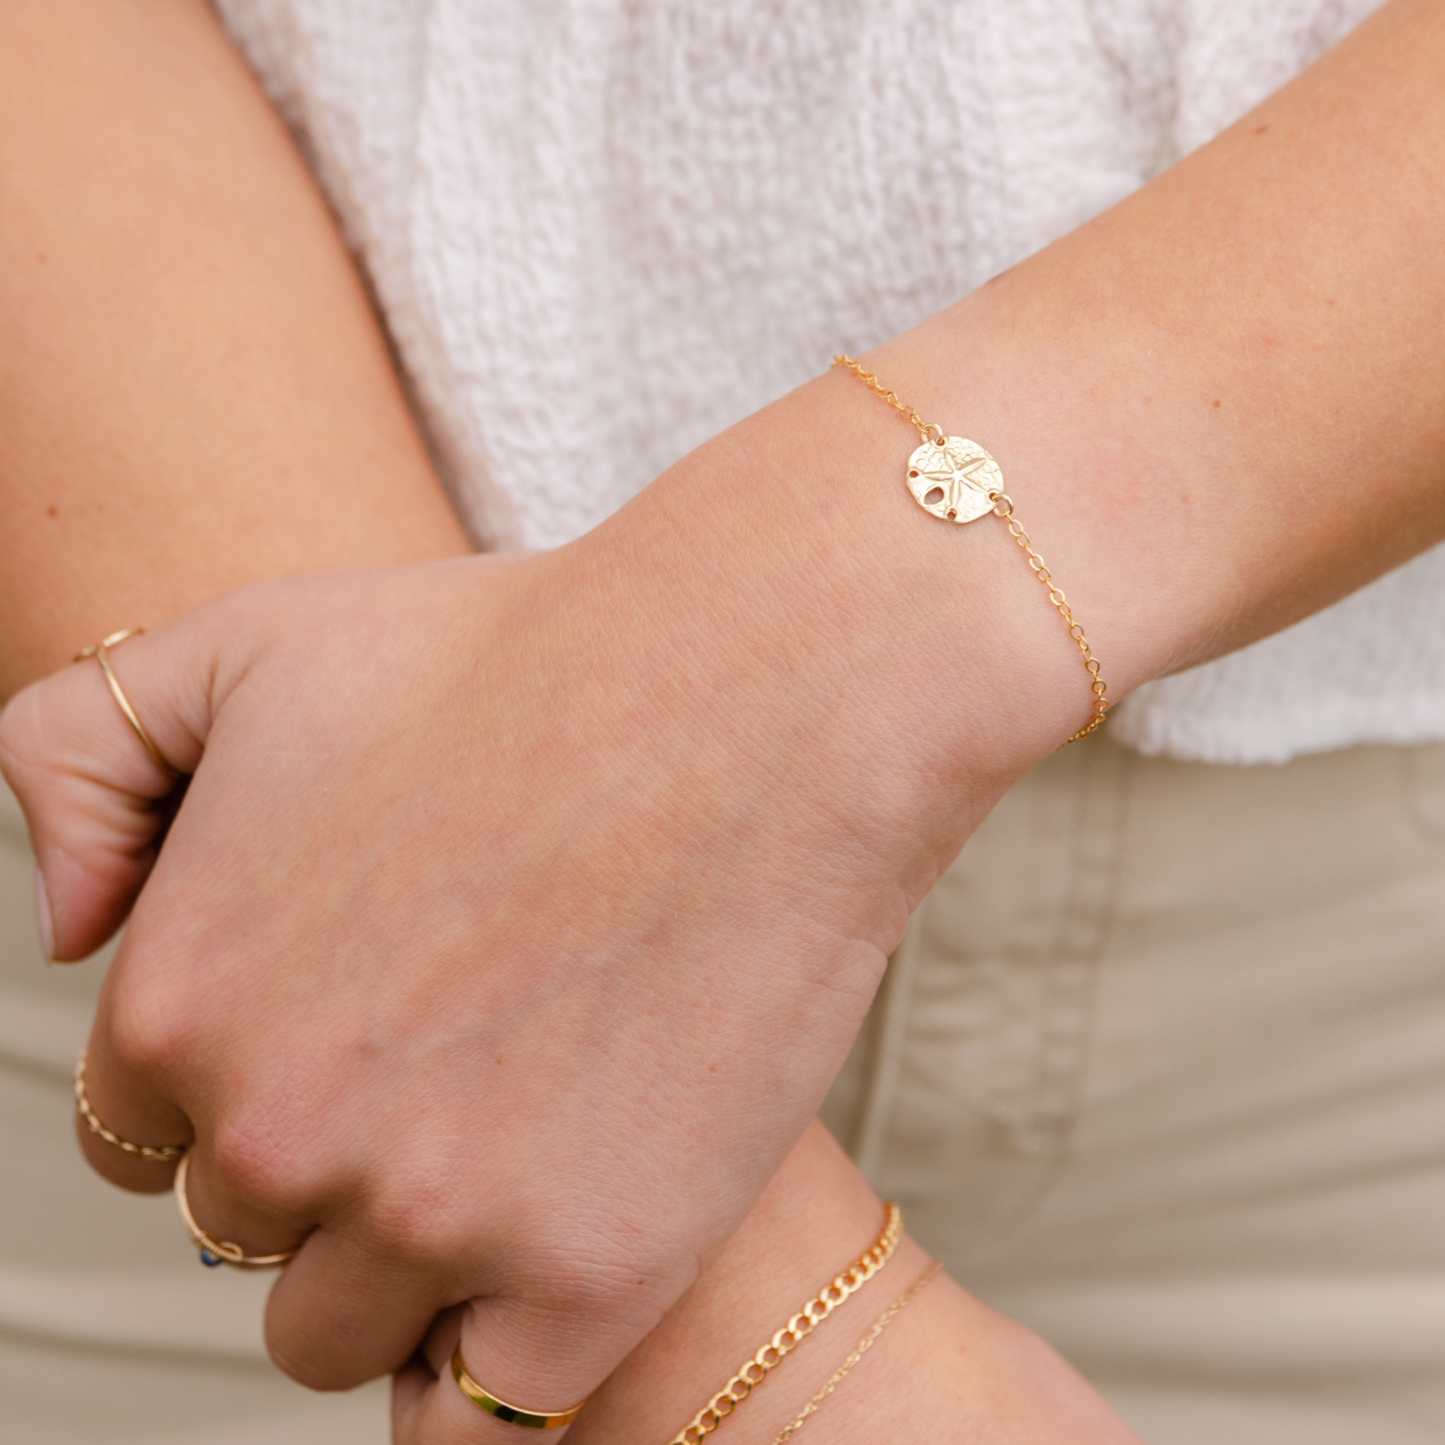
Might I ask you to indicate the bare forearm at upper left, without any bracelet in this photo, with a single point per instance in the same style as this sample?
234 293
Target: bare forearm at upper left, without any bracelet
193 389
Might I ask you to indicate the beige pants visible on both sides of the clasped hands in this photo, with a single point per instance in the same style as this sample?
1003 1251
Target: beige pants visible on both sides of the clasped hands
1160 1070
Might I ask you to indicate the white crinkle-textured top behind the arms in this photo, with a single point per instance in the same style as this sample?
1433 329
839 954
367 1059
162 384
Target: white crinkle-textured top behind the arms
603 230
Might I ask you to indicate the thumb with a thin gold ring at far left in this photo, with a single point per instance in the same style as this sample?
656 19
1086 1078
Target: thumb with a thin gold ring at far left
95 800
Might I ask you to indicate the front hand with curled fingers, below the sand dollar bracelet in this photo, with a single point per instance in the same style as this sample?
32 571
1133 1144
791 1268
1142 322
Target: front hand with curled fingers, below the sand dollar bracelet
512 928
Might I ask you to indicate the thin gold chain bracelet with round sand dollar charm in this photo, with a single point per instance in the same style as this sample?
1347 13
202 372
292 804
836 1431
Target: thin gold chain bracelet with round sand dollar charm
956 480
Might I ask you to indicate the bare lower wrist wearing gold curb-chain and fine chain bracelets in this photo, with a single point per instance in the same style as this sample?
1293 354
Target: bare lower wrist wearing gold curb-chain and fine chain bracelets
946 1368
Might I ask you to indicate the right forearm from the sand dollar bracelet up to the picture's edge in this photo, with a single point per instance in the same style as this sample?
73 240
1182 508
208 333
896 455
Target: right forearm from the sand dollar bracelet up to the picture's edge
1222 405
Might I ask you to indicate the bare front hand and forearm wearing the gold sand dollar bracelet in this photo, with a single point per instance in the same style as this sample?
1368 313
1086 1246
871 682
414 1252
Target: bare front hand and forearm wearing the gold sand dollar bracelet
645 852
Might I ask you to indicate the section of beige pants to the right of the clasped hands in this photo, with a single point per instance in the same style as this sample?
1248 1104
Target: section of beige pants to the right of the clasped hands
1161 1071
